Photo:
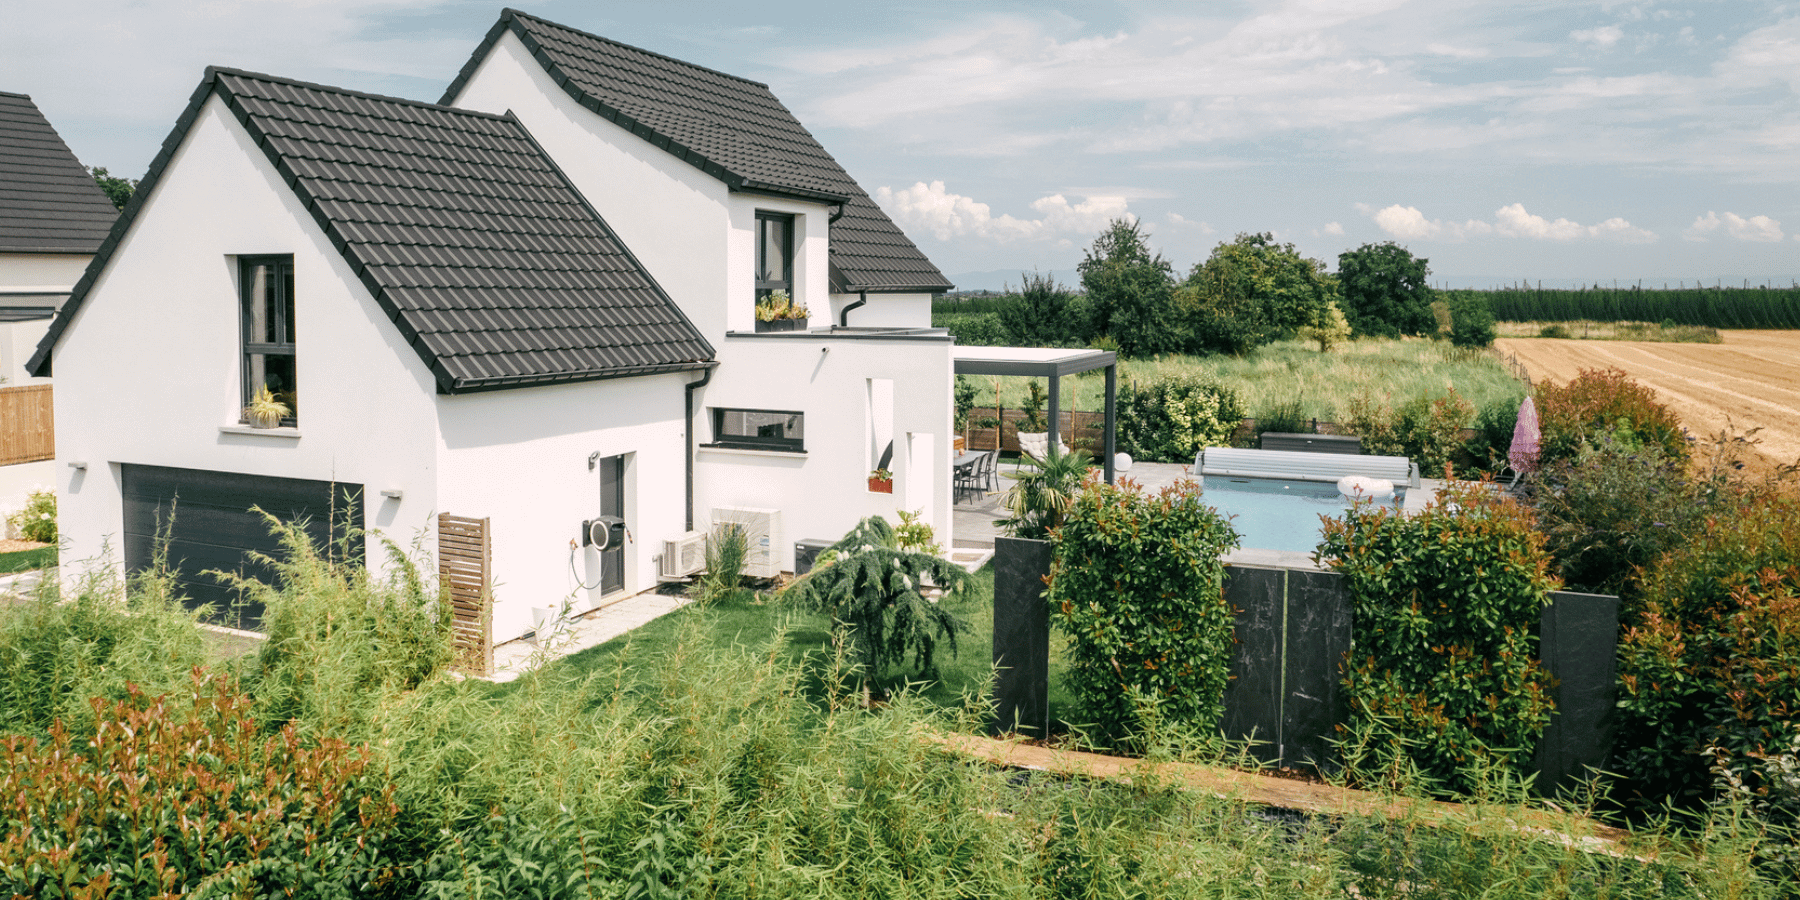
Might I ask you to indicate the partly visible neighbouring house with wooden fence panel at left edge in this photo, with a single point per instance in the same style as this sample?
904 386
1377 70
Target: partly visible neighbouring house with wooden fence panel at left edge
53 217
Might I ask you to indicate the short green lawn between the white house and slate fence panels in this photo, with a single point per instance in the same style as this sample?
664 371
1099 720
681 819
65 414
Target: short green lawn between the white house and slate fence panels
750 618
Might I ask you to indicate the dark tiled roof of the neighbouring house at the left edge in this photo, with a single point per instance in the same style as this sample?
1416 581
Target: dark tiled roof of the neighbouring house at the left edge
48 201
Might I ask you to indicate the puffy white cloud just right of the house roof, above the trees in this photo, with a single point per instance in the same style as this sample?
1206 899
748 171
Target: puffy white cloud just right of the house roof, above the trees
944 215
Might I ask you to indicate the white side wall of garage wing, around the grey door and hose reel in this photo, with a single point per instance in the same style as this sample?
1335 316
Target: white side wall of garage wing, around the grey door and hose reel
519 458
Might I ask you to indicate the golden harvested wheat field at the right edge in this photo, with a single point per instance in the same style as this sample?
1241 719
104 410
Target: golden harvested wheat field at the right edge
1752 379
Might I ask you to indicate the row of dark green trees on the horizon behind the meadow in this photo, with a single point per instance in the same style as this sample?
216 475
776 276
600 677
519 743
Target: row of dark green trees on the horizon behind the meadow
1250 292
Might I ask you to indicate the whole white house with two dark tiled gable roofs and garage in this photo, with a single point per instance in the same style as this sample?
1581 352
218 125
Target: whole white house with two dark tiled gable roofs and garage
525 309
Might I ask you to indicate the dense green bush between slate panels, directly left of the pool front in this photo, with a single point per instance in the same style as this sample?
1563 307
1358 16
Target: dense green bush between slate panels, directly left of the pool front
1140 593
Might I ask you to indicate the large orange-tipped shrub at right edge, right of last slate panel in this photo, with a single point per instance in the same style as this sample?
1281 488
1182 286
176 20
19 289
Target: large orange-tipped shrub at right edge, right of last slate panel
1714 654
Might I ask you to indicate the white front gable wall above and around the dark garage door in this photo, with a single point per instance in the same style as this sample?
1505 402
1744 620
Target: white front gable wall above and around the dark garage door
148 372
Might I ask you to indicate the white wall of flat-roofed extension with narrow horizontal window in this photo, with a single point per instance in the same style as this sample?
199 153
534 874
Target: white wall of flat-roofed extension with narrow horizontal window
825 492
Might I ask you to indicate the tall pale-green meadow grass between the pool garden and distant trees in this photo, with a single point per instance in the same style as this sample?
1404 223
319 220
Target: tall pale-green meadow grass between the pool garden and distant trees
1295 372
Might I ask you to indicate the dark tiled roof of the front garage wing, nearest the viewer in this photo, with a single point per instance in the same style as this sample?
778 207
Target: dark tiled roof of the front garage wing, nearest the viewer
469 237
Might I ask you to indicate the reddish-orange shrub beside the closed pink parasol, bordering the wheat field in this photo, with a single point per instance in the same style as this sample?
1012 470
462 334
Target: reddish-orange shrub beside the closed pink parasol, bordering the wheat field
1605 400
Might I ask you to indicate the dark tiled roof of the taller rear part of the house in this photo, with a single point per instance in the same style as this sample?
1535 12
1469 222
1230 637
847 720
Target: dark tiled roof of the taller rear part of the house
730 129
